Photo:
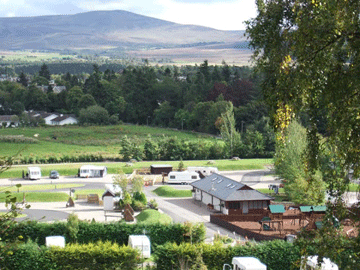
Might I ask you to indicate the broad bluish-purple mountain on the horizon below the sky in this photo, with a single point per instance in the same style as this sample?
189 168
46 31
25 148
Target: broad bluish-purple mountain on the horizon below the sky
103 30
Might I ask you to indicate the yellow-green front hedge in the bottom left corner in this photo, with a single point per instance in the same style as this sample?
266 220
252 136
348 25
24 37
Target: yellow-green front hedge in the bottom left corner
74 256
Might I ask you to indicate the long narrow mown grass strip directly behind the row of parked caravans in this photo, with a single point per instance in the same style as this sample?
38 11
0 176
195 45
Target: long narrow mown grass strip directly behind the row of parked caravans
114 167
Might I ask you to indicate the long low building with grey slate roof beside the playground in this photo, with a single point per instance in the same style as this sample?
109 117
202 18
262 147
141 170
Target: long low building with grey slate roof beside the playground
229 196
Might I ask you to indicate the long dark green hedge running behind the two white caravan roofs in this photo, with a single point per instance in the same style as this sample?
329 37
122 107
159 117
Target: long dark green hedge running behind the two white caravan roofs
117 232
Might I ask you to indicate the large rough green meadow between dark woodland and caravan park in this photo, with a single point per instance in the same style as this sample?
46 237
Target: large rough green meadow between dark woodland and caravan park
71 141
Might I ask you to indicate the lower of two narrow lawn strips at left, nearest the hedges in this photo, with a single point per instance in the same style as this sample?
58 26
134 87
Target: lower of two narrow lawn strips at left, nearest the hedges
39 197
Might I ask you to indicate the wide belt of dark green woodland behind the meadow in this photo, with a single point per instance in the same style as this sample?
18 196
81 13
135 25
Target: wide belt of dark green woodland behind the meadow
187 97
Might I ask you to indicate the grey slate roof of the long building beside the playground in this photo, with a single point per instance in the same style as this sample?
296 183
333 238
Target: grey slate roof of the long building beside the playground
227 189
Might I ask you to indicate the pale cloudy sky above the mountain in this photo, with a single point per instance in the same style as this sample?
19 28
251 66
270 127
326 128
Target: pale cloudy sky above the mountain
222 15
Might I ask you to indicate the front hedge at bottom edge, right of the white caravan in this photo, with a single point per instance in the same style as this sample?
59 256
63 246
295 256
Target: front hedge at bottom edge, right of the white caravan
277 255
